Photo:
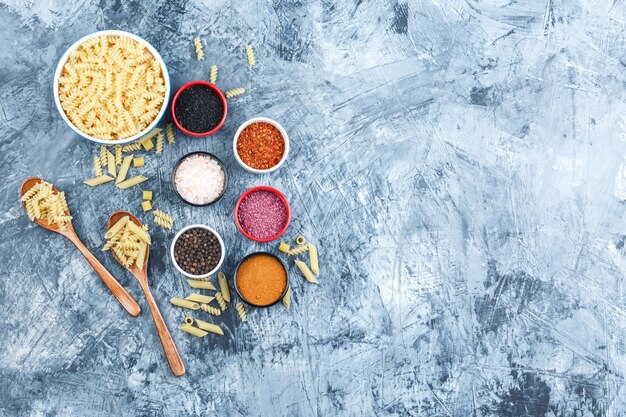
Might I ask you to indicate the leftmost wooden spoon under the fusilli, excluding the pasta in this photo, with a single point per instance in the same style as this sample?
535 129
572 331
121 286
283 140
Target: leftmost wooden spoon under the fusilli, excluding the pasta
125 299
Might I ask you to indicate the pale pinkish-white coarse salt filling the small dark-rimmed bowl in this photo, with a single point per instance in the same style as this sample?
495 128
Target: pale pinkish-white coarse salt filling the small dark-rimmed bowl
199 179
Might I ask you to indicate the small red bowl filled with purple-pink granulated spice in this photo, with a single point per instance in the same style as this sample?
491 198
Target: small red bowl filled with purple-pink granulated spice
262 214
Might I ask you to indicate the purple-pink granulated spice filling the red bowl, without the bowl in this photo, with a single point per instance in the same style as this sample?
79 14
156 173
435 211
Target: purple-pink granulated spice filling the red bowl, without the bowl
262 214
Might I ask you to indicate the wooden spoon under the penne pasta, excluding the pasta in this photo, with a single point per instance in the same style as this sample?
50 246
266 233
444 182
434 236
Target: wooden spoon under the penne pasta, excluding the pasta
173 357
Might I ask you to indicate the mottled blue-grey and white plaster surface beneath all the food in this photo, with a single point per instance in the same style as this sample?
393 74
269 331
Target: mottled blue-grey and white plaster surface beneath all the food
460 164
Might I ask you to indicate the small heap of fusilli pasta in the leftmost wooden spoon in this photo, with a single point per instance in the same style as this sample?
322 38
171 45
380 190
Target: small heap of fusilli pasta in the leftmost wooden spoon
42 202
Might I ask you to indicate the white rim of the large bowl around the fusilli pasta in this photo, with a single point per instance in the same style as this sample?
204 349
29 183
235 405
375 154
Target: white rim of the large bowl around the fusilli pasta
64 58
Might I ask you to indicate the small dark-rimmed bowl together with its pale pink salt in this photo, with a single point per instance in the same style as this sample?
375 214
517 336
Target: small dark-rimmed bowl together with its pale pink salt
192 177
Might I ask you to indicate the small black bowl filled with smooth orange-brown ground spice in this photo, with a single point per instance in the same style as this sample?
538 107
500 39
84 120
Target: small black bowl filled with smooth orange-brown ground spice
268 283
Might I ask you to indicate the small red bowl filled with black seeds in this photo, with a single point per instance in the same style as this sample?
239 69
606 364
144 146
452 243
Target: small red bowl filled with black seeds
189 105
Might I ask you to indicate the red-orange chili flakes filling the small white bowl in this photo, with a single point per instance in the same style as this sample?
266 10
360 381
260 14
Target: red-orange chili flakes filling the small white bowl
261 146
